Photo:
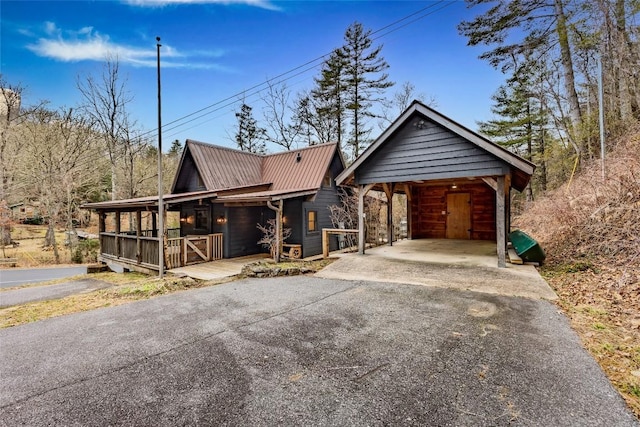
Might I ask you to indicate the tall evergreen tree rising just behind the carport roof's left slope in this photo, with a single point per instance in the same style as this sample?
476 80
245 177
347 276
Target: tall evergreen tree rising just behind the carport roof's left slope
364 82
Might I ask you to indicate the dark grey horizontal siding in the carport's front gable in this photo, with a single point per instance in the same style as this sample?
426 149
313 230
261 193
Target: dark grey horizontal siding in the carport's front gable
432 152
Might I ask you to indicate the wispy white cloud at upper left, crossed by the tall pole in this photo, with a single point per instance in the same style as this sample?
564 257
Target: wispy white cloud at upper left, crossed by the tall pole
86 44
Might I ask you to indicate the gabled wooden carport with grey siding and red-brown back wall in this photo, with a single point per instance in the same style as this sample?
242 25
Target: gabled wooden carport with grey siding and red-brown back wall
457 182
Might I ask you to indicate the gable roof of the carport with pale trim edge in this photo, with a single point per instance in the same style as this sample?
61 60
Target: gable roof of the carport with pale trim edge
521 169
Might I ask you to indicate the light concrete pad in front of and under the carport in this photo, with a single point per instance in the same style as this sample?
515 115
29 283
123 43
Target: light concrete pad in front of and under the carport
456 264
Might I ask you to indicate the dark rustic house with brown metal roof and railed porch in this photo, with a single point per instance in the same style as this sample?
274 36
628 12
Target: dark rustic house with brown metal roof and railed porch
221 195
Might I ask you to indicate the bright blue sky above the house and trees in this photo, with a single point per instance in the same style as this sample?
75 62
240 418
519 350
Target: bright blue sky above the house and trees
215 50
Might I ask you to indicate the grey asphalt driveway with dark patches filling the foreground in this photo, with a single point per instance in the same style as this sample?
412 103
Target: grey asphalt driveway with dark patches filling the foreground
307 351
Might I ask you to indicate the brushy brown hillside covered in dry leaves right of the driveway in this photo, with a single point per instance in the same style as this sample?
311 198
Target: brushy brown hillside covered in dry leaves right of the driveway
590 230
